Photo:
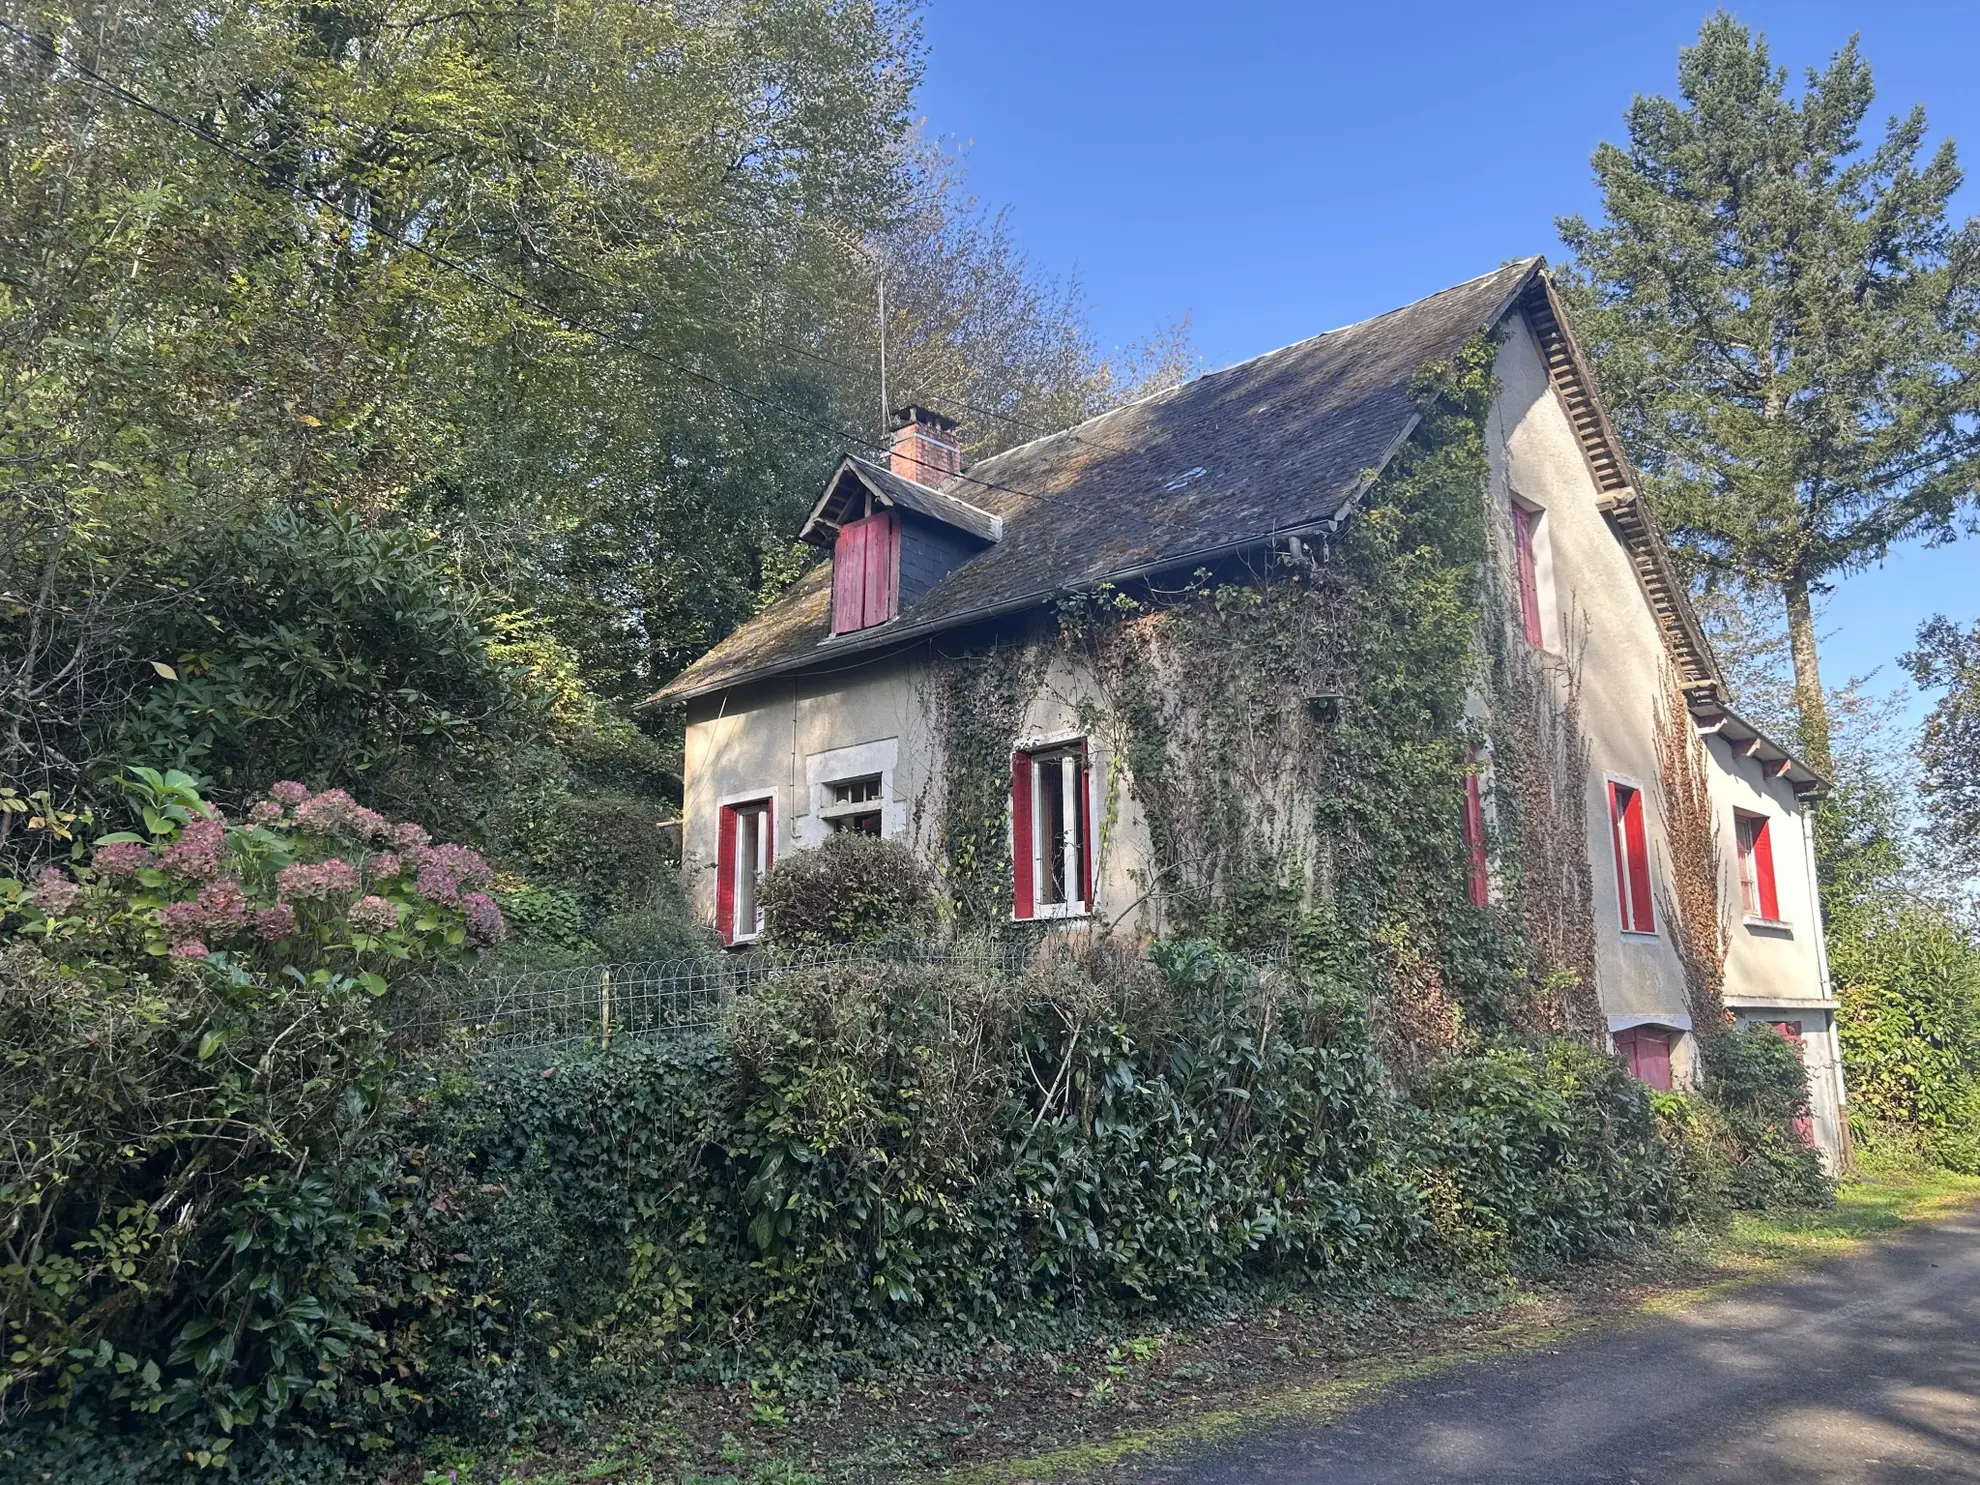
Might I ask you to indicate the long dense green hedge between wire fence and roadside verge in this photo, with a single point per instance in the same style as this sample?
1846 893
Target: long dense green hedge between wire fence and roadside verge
876 1159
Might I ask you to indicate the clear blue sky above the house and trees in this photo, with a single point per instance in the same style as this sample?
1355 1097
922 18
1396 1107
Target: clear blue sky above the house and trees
1278 169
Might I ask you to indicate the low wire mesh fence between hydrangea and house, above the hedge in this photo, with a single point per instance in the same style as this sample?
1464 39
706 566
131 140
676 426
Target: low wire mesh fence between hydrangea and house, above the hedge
643 999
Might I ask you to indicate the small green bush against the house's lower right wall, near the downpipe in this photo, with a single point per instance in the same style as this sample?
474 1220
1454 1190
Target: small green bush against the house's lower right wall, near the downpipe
1759 1084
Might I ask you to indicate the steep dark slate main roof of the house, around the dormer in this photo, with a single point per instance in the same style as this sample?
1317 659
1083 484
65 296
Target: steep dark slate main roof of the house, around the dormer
1276 445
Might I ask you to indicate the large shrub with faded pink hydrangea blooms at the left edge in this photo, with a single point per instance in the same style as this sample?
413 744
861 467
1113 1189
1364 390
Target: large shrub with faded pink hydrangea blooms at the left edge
195 1110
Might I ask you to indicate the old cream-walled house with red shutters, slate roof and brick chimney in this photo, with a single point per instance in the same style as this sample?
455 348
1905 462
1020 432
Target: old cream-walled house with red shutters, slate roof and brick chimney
839 708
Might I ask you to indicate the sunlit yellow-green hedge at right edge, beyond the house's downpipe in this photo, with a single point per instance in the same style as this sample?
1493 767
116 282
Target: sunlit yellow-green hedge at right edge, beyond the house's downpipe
1910 1023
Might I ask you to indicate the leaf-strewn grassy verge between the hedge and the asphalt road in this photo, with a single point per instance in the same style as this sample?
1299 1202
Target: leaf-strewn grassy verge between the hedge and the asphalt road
1092 1413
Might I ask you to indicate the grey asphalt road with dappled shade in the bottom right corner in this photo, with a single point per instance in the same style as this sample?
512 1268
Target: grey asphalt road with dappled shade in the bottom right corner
1864 1369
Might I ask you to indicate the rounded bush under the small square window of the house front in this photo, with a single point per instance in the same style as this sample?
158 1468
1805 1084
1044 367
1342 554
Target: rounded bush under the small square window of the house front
850 888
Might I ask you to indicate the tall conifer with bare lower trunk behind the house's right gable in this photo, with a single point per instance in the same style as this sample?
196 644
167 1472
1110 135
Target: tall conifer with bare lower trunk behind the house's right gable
1787 326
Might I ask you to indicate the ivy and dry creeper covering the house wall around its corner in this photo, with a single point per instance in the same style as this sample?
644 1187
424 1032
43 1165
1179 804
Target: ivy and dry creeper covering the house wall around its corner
1296 738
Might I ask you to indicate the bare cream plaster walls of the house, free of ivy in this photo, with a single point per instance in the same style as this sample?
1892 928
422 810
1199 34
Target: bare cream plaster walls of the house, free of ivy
797 740
